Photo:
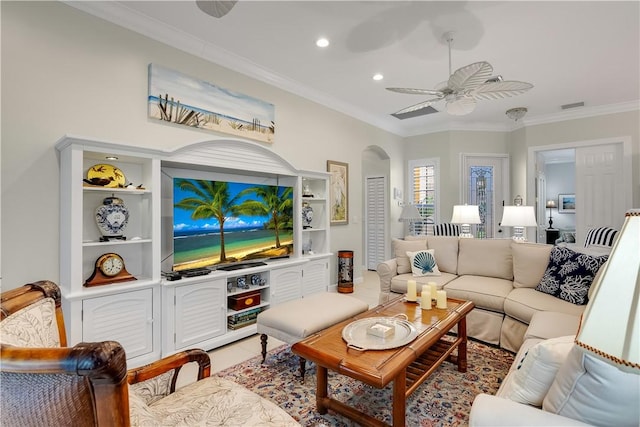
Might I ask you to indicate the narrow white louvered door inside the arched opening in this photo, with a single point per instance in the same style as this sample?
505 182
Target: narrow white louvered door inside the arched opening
376 211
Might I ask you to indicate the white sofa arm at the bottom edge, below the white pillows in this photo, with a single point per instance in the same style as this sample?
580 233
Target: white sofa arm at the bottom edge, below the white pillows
490 410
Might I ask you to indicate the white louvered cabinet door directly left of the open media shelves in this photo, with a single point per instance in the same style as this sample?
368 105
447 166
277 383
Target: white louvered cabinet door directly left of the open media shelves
199 312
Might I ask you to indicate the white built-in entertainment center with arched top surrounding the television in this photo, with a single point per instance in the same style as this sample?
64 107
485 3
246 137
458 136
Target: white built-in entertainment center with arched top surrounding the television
151 316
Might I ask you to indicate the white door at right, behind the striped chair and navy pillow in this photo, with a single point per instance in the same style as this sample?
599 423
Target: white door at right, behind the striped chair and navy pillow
600 190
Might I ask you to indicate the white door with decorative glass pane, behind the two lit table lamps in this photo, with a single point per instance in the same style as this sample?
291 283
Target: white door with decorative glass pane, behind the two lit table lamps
486 183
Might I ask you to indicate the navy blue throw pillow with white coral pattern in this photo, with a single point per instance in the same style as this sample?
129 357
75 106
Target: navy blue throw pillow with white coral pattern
569 274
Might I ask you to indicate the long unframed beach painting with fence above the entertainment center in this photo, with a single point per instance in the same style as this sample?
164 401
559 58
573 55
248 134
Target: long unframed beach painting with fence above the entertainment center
179 99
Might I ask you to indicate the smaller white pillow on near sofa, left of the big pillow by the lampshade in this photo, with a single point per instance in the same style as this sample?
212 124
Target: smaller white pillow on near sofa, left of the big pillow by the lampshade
536 370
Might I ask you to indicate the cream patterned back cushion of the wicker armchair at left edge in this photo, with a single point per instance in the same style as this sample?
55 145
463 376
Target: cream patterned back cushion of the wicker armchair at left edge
32 326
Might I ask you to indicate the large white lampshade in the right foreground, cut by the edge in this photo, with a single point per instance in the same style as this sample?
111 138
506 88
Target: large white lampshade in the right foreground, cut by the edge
610 325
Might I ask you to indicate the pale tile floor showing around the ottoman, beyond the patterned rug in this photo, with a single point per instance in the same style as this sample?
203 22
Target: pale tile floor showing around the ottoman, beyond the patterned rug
239 351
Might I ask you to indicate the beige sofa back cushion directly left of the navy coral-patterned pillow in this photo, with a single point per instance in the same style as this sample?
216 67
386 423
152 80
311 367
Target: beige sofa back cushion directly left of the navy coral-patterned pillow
529 263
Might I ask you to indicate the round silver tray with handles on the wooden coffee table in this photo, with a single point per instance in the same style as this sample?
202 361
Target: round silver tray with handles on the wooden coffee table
356 336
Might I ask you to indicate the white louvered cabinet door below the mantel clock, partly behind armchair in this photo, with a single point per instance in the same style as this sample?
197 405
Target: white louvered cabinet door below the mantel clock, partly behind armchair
126 318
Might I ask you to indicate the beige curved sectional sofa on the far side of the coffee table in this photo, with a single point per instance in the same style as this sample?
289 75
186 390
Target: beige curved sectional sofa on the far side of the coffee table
498 275
